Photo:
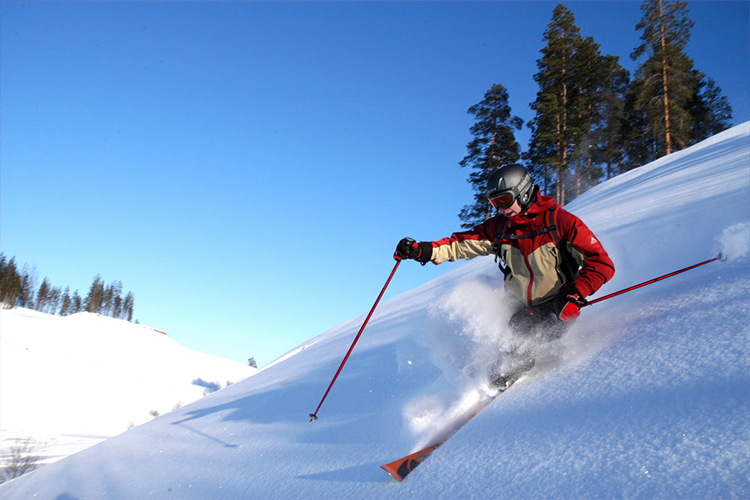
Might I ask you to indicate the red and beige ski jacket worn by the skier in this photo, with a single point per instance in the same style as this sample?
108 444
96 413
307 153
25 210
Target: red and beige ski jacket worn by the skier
532 261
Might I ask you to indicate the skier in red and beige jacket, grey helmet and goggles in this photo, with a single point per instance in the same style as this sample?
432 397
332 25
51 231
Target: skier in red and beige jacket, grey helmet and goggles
550 260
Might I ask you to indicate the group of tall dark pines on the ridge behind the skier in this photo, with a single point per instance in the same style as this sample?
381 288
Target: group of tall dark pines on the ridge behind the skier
592 119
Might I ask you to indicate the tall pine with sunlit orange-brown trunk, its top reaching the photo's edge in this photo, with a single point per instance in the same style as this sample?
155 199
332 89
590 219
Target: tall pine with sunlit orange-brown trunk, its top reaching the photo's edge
666 78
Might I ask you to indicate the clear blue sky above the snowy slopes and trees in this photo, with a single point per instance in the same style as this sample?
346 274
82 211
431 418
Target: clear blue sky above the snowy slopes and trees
247 168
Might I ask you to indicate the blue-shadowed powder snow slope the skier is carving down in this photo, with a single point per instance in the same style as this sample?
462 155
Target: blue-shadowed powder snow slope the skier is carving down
647 396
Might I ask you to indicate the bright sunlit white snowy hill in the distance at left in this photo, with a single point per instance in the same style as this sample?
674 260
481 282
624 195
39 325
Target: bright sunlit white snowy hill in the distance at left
70 382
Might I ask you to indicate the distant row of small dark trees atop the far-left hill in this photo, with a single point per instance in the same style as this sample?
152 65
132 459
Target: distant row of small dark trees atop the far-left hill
18 288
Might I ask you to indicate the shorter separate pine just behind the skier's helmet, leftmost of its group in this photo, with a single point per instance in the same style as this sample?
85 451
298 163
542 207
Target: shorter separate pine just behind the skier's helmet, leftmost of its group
494 146
